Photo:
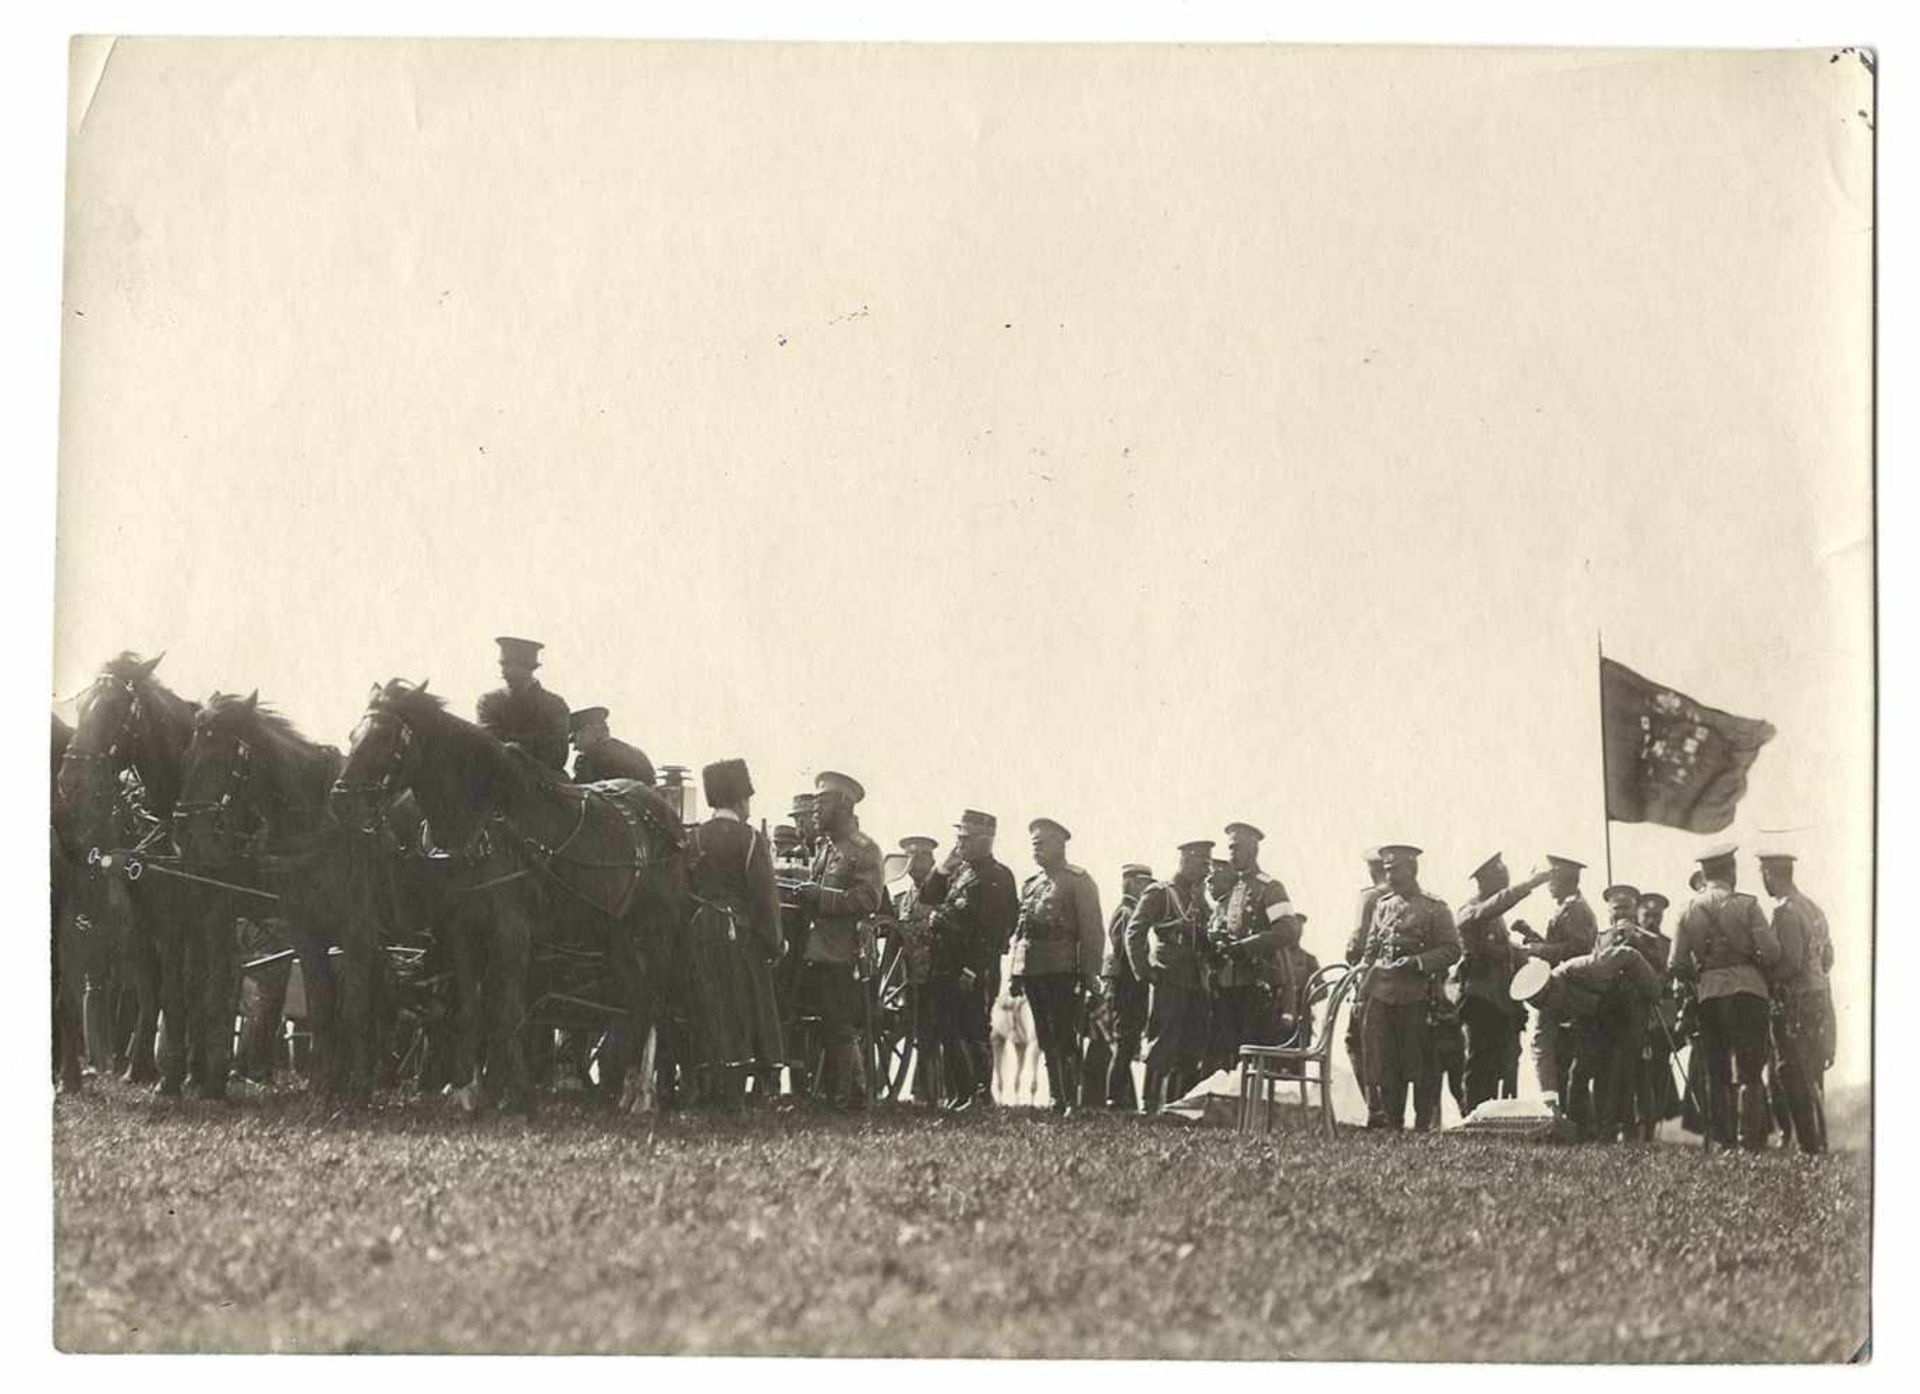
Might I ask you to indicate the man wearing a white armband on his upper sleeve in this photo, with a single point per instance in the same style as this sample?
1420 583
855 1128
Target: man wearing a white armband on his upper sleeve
1255 930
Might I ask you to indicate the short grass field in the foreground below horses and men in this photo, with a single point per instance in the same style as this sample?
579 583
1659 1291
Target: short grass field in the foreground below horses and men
266 1226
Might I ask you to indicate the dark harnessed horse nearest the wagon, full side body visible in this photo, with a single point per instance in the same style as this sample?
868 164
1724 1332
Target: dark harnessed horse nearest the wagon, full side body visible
573 865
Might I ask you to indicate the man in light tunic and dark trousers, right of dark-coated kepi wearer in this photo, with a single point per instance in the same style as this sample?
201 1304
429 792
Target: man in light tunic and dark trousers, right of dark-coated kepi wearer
1059 944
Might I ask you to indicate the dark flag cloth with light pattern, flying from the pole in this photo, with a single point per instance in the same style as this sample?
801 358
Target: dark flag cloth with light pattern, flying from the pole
1671 759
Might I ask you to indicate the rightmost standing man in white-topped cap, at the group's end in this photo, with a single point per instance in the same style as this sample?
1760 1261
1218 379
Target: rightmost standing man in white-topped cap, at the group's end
1804 1003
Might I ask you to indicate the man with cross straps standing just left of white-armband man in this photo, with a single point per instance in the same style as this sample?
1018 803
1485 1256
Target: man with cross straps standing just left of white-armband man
1164 940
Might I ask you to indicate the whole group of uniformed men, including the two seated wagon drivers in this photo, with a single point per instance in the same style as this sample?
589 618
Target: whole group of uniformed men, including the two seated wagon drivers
788 940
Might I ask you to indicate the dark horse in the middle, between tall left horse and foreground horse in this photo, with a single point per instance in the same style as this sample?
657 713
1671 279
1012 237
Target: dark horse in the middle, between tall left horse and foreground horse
256 794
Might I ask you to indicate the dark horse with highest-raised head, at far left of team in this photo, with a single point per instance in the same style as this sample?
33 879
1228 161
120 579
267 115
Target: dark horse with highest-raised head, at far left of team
135 731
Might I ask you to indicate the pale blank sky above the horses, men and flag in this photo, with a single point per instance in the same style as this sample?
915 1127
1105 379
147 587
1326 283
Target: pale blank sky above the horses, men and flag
1136 437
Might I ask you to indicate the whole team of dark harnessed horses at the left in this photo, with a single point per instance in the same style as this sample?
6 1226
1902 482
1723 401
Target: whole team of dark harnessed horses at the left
174 819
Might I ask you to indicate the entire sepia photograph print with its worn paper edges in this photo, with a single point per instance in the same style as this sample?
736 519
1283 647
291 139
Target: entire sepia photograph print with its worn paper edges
953 700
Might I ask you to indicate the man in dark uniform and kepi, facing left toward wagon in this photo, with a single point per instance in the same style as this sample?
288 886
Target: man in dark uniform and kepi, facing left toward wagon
974 911
